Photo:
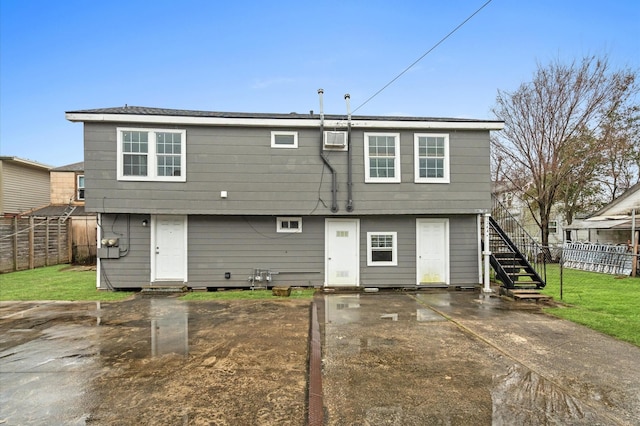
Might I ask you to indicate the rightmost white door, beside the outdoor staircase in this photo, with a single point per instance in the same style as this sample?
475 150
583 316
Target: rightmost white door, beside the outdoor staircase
432 251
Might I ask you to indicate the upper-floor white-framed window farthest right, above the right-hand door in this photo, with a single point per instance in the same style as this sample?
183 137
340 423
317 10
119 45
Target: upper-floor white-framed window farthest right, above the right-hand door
431 160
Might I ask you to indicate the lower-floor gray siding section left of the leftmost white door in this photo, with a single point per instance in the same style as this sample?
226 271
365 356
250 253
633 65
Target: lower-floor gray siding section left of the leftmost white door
132 269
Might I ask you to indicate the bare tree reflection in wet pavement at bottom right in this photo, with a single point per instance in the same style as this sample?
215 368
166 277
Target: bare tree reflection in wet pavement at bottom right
523 397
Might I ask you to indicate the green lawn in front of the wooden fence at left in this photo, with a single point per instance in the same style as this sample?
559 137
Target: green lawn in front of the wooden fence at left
54 283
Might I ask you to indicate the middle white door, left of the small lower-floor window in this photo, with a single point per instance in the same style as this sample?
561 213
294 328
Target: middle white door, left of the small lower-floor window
342 254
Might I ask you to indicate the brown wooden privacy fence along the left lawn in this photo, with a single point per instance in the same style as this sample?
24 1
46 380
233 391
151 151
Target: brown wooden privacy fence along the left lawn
27 243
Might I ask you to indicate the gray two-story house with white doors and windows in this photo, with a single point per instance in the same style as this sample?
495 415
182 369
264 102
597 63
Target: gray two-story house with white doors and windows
217 199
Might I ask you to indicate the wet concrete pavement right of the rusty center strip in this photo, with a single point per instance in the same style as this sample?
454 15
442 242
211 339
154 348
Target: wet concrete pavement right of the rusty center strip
457 358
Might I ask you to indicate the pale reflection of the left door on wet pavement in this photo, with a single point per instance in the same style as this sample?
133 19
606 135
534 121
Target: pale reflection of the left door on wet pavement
169 327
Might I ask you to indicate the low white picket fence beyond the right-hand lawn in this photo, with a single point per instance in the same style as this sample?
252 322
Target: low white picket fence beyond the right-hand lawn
604 258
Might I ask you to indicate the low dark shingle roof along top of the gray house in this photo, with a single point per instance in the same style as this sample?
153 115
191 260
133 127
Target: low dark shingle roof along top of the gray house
141 110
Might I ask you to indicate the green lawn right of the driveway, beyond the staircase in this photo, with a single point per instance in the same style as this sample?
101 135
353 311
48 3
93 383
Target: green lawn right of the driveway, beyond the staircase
602 302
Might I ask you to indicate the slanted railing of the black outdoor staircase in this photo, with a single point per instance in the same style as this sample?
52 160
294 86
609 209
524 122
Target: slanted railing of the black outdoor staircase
537 255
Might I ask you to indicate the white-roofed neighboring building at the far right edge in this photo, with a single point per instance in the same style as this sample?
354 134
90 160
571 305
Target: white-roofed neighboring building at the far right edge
613 223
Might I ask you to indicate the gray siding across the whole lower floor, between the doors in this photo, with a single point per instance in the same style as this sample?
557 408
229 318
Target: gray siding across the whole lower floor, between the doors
239 245
